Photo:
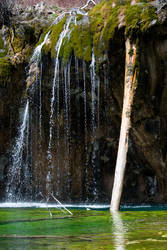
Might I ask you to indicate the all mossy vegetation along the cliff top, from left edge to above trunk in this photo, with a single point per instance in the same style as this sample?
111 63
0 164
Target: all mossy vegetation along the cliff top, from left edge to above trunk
94 31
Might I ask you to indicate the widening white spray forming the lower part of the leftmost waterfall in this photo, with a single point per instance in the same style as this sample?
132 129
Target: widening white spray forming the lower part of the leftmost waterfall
16 171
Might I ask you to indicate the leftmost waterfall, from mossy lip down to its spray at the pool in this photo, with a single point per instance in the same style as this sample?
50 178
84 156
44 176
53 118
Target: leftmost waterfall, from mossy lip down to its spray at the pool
19 174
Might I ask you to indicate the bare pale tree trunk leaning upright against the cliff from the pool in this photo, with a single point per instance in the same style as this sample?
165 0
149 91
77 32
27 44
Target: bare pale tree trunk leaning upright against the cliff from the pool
130 80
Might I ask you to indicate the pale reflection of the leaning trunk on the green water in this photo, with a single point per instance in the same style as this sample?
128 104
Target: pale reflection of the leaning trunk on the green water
118 231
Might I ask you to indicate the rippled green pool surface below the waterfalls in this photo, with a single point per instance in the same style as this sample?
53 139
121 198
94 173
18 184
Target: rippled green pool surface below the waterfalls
34 228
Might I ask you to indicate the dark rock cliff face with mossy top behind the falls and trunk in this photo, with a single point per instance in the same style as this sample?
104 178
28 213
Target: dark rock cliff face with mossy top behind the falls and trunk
85 151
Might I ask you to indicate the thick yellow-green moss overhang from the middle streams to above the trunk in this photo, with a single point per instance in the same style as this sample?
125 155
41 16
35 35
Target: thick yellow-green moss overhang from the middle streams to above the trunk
104 20
